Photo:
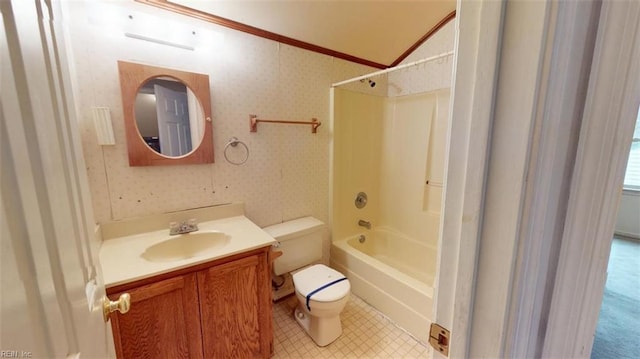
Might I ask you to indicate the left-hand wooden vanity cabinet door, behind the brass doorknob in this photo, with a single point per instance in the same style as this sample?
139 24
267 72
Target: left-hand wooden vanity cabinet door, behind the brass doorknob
163 322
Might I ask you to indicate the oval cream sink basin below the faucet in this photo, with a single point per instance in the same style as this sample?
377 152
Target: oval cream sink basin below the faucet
185 246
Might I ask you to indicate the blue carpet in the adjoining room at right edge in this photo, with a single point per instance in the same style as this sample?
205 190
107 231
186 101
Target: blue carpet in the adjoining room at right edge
618 330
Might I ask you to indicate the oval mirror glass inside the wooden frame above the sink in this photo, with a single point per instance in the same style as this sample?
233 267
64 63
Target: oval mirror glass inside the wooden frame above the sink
169 116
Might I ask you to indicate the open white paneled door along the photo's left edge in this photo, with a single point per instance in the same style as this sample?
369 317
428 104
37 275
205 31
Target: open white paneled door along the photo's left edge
48 240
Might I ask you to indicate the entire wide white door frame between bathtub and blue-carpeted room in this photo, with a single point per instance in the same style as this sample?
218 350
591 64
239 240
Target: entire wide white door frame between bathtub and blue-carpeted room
533 264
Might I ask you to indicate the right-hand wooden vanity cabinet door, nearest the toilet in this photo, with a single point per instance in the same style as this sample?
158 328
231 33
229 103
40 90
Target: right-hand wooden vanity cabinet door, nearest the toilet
235 305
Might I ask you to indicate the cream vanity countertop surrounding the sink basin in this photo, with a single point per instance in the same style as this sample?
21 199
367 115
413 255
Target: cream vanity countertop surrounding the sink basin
122 262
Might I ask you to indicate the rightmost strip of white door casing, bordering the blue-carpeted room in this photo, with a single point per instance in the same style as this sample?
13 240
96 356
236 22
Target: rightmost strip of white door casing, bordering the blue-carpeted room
605 139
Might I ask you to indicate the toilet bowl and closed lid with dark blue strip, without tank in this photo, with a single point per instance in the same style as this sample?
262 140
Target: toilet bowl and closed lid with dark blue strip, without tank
322 294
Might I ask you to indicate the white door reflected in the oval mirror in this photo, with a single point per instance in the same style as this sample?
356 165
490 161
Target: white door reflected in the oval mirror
173 121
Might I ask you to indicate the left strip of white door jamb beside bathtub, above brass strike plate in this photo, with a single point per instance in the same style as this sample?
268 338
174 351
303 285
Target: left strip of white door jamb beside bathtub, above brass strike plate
477 43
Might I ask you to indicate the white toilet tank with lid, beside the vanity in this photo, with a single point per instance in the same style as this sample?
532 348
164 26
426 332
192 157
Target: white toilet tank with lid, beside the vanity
300 242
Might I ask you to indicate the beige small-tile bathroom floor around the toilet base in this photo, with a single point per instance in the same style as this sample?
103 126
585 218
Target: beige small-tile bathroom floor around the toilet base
366 333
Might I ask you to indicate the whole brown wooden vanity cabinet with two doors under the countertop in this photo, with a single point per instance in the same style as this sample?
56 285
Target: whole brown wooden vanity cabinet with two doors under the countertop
220 309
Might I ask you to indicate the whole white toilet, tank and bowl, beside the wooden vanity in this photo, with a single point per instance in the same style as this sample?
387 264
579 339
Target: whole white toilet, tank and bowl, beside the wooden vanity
322 292
